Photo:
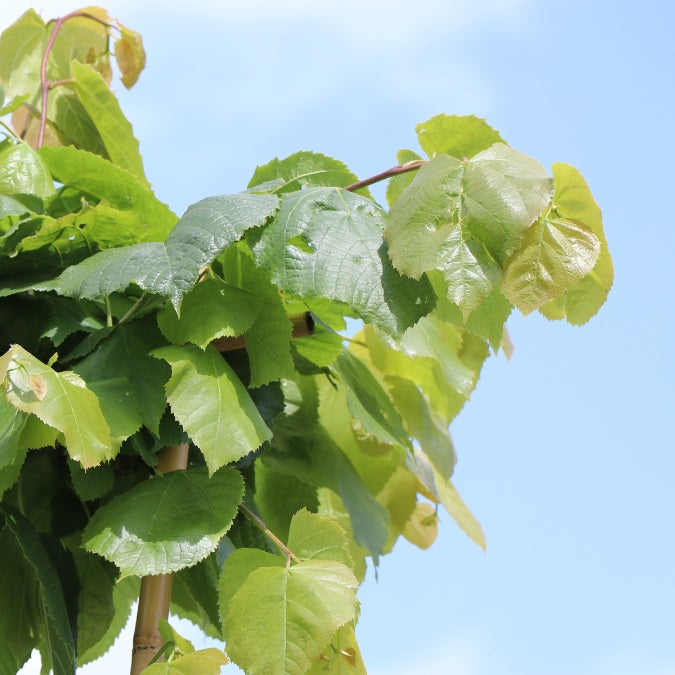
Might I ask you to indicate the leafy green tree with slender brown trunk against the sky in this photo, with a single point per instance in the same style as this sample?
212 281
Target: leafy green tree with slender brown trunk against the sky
177 403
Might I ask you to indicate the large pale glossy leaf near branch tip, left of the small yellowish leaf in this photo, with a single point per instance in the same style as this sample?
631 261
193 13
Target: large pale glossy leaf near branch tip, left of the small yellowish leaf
465 217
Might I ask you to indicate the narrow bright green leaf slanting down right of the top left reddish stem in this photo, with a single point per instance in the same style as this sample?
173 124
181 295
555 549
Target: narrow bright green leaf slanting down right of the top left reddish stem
114 128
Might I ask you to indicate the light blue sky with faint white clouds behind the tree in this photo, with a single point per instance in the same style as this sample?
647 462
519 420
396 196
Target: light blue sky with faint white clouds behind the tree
566 453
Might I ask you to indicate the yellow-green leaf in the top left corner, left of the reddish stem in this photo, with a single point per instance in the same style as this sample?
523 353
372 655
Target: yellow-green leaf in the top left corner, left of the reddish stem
21 47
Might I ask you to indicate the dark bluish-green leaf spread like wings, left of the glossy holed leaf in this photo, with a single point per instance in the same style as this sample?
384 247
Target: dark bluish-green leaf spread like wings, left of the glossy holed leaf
172 267
